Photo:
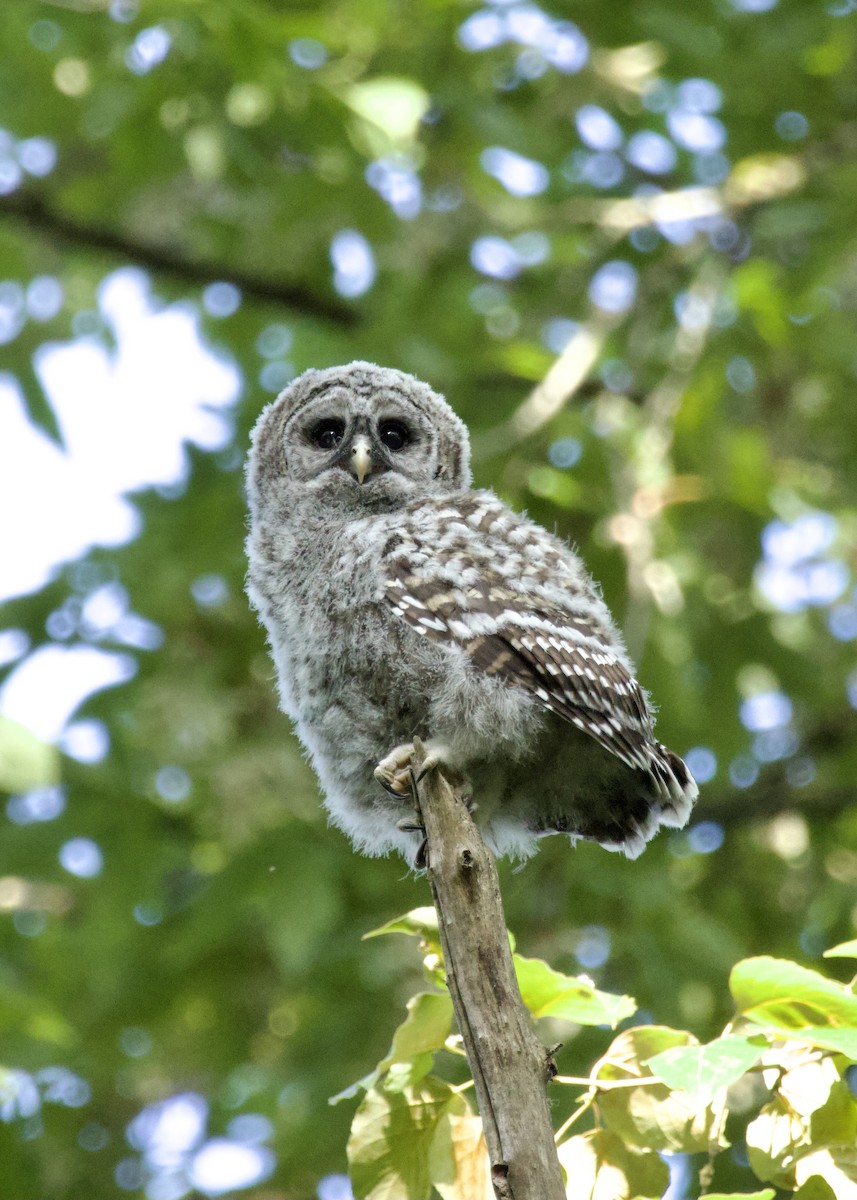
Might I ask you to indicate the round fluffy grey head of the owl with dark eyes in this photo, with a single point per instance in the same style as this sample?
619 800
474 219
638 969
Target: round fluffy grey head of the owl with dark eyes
361 436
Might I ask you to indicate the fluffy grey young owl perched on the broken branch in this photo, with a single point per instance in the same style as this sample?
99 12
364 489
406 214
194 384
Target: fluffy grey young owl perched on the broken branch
399 602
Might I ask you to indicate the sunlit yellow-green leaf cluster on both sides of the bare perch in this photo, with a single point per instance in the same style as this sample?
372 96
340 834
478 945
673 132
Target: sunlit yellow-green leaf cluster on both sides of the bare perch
778 1082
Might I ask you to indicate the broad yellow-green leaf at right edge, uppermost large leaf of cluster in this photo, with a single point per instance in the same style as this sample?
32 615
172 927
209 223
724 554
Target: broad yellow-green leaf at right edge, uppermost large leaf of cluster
782 994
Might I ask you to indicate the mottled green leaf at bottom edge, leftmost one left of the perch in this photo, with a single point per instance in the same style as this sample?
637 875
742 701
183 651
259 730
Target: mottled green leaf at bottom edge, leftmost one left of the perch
392 1137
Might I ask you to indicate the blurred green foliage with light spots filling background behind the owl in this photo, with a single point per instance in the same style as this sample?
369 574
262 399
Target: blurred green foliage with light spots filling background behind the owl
625 249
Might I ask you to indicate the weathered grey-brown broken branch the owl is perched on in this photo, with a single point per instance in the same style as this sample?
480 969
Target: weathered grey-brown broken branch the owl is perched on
511 1067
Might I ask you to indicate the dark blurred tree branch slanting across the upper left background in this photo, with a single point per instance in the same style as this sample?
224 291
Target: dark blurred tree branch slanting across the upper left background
57 227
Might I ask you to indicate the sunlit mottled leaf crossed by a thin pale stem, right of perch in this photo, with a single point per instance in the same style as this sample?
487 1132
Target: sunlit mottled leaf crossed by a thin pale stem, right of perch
651 1115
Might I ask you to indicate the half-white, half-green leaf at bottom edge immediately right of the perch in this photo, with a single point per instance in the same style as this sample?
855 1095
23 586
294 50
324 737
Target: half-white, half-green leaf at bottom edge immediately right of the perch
598 1165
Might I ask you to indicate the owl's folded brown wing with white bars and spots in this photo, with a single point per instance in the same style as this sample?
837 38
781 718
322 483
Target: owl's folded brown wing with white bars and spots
553 652
